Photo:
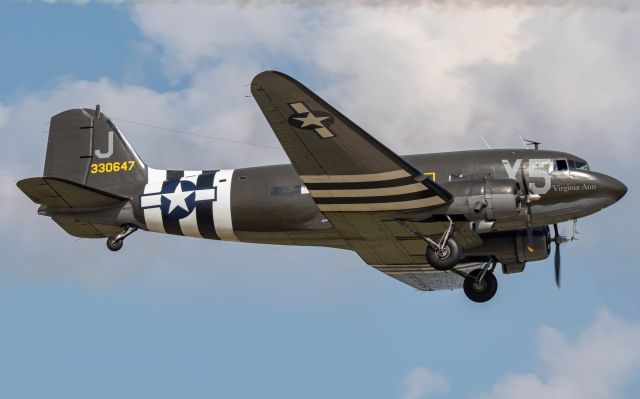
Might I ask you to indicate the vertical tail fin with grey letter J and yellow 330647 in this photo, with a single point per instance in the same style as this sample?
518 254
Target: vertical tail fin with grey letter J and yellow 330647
85 147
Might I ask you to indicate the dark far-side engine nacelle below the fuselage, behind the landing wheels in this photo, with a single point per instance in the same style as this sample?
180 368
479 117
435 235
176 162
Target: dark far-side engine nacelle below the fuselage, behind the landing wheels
511 247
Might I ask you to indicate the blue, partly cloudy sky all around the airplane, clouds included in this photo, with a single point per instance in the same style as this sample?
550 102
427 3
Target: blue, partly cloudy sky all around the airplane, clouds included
174 317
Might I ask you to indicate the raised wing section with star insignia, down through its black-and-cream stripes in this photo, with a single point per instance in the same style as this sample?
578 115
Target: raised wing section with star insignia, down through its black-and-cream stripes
344 168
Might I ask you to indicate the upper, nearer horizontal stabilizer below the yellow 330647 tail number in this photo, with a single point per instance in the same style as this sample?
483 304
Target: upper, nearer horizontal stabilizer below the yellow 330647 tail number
60 194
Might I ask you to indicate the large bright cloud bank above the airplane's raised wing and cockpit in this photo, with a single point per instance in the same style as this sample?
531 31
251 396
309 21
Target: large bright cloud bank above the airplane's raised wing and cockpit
447 77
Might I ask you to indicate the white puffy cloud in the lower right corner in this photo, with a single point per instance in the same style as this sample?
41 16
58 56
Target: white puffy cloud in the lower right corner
600 363
